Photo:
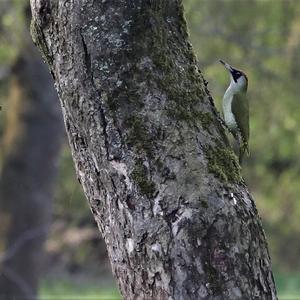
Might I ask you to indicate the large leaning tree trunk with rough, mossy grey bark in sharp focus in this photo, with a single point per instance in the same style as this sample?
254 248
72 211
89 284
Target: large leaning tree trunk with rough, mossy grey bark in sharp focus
162 183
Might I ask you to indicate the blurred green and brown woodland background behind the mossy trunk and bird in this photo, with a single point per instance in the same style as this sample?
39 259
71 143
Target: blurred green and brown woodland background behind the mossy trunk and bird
53 248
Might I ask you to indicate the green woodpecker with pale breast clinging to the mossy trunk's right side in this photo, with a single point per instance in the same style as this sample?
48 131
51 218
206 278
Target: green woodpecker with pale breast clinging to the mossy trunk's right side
236 108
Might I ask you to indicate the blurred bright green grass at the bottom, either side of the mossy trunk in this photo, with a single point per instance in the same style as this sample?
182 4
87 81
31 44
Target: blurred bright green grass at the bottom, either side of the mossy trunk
288 287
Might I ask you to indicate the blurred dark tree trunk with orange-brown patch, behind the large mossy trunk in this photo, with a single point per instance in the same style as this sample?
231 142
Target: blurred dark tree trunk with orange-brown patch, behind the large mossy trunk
31 146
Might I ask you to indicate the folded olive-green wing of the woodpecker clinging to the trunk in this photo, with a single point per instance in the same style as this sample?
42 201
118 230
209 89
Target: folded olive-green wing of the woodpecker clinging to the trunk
240 110
